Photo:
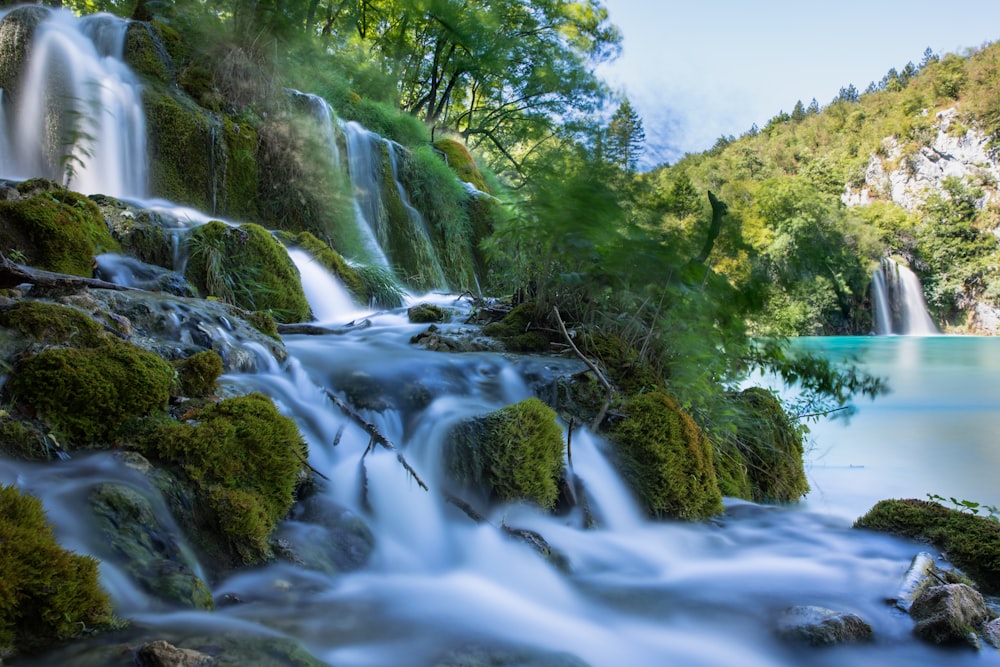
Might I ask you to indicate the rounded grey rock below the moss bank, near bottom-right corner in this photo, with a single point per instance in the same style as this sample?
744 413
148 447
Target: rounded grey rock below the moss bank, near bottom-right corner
949 614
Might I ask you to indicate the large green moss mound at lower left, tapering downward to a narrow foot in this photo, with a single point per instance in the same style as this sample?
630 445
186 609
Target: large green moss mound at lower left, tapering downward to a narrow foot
245 460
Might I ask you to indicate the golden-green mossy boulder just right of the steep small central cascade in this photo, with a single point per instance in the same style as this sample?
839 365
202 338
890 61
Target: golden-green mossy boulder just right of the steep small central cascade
666 459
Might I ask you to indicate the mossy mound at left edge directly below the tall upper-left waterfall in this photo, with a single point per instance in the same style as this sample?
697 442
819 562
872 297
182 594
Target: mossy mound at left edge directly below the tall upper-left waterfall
59 231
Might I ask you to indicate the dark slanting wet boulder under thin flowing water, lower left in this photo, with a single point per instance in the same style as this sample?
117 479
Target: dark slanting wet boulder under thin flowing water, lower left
135 539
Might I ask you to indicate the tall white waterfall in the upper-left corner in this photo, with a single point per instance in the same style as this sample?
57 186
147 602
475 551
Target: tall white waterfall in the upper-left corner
77 116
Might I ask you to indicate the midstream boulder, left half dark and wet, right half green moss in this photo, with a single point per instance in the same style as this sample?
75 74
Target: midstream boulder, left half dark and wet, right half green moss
515 453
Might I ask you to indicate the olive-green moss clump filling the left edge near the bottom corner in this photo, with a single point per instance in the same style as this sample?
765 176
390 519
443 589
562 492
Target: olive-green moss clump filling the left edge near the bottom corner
47 593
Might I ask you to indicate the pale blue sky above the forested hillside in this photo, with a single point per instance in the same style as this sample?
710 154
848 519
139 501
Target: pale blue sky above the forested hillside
696 70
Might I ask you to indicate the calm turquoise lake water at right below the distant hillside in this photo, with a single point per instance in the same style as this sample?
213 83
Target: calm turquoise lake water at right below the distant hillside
937 431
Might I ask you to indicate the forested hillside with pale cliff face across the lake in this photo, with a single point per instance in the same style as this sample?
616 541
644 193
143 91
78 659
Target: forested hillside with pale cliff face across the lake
906 169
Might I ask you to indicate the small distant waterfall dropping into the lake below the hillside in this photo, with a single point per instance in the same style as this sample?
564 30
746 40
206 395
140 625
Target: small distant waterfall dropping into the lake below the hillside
898 301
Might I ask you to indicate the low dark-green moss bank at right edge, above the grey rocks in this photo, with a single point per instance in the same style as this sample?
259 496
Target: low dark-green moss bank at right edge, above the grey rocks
971 542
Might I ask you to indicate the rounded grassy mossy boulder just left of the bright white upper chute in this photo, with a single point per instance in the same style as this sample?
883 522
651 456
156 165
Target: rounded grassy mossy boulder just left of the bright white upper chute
247 267
